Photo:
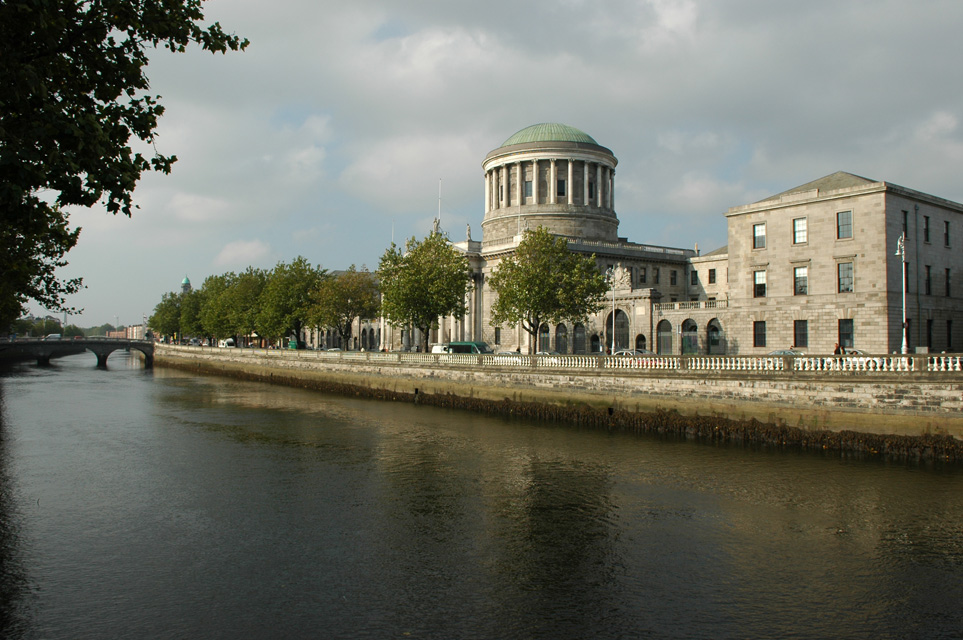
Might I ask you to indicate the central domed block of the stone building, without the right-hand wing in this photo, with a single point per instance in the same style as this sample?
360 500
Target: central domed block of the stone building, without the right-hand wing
558 177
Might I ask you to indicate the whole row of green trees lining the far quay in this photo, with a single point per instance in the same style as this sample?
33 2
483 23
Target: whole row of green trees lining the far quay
542 282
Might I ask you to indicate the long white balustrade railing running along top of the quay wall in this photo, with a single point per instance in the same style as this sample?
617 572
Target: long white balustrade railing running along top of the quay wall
847 364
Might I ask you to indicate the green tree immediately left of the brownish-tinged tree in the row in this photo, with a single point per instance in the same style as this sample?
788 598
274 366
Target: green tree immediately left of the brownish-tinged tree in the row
286 298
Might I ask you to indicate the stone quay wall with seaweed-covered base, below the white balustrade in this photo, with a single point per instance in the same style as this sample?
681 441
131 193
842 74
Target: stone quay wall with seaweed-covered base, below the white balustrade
882 414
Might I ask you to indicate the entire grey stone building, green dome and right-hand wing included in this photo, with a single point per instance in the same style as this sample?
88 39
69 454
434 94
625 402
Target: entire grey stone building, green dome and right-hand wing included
806 268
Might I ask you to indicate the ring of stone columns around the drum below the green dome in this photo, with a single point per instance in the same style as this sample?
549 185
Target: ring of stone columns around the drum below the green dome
498 184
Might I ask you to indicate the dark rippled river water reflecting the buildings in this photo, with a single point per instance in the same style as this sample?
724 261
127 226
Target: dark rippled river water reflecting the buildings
161 504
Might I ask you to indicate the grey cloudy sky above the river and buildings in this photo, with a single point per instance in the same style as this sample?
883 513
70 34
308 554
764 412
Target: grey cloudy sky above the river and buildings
329 135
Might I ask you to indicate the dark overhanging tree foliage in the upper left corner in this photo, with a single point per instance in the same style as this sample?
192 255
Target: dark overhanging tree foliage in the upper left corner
73 92
